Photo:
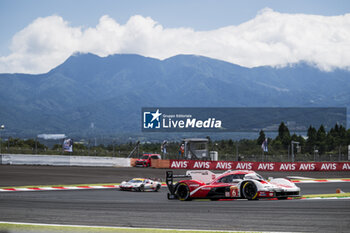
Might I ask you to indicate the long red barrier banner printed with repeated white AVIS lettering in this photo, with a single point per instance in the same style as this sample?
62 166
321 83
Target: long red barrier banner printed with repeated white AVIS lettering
259 166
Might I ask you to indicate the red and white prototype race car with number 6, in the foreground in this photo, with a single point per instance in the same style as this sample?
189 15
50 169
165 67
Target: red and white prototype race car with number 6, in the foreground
237 184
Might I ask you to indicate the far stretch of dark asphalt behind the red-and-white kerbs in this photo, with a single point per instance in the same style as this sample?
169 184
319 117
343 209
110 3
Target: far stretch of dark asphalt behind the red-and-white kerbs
48 175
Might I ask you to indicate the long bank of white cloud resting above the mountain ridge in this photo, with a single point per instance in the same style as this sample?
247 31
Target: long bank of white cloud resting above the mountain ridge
271 38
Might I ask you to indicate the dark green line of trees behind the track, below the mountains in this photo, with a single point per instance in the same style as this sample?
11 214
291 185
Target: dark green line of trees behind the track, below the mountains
317 141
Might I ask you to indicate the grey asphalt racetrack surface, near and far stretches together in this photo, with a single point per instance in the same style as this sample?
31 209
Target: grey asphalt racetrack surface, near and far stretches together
151 209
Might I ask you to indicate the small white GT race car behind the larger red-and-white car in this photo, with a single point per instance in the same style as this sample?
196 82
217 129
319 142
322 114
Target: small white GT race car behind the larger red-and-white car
140 185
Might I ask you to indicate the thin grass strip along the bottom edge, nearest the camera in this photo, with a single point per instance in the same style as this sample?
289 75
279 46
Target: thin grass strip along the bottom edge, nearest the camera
48 228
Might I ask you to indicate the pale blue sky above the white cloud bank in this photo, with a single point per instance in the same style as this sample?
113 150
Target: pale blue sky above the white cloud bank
199 15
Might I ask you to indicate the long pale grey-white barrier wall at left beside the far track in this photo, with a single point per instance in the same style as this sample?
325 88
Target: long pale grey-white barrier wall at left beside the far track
56 160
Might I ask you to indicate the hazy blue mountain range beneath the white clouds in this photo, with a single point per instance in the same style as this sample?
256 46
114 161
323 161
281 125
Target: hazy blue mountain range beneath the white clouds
88 94
